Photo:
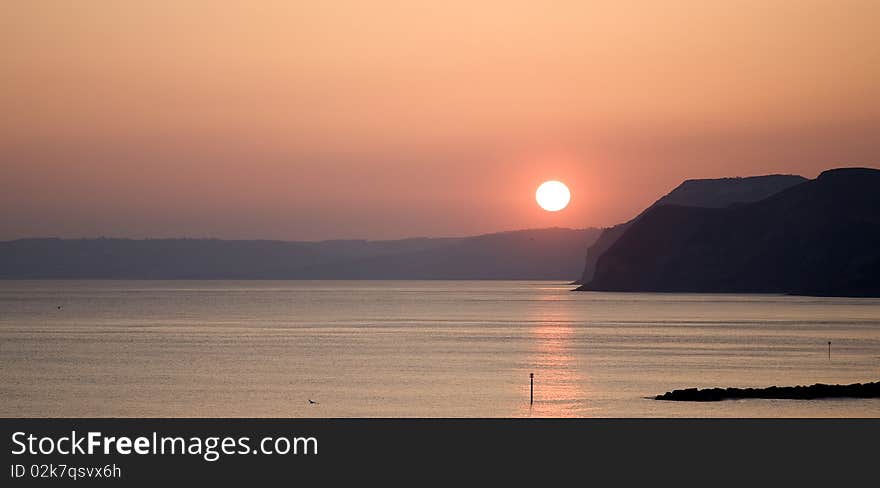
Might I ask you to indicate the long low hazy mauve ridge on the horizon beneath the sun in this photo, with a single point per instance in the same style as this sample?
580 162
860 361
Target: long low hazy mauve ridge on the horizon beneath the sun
538 254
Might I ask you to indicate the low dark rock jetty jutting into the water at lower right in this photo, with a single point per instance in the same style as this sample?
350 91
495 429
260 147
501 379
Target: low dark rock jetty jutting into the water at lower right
812 392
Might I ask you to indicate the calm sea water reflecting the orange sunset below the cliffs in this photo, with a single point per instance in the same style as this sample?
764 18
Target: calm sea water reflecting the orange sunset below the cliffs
398 348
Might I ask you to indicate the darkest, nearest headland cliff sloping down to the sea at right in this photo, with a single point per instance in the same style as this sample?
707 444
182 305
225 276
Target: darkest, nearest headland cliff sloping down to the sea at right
821 237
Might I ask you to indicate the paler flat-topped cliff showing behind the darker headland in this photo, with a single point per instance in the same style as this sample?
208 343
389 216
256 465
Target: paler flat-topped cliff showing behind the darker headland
709 193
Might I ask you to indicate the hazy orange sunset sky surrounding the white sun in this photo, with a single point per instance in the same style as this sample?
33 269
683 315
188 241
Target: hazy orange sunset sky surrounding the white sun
375 119
